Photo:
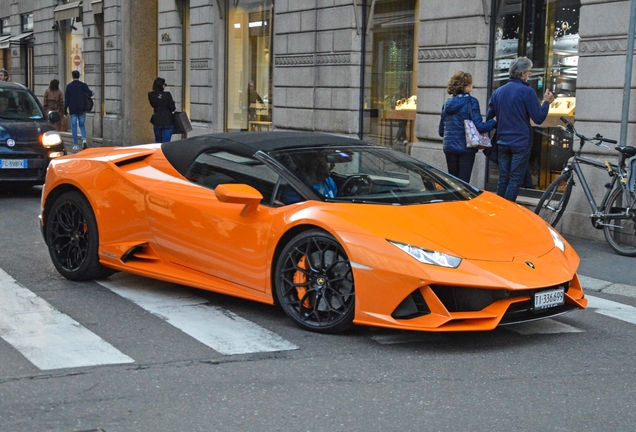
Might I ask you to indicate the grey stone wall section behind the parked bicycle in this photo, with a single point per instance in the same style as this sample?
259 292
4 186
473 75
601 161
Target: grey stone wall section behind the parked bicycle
599 99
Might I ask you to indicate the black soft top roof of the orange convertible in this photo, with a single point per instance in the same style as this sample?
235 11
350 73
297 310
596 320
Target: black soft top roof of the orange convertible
182 153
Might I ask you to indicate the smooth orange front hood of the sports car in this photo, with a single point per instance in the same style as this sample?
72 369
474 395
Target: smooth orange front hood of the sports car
486 228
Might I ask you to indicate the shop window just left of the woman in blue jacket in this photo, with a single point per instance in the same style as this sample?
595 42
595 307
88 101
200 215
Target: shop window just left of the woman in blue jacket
390 86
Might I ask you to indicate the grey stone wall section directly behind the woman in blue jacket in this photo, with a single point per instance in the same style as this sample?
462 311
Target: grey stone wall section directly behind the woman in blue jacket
453 36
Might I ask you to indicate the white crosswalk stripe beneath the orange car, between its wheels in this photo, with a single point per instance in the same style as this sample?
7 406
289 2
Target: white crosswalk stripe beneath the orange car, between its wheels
218 328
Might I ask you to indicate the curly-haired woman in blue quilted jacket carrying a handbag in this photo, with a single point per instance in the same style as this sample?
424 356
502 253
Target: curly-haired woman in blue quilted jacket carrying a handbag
459 107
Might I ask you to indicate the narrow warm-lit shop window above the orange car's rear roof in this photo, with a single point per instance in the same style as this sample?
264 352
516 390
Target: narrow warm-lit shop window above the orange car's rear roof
249 65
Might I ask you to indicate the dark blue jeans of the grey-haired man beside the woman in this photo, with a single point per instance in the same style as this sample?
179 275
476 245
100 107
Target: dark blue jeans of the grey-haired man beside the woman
513 164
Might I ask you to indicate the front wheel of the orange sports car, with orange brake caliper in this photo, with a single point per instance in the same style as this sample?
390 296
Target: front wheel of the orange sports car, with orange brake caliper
314 283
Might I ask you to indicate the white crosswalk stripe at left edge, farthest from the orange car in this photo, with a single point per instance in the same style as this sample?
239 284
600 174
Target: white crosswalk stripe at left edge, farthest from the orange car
46 337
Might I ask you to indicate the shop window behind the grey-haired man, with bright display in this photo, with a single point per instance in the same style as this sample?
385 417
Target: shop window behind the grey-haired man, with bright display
547 32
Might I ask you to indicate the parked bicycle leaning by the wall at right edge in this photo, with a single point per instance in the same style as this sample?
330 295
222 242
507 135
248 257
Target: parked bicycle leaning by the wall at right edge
616 215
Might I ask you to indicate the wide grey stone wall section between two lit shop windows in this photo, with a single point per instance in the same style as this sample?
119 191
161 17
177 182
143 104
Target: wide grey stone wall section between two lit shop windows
316 66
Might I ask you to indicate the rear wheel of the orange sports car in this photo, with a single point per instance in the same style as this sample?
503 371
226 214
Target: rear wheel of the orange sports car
71 235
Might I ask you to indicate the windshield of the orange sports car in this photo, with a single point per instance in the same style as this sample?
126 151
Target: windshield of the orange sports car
372 174
